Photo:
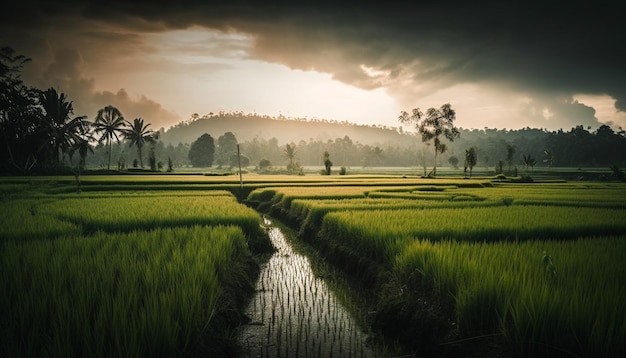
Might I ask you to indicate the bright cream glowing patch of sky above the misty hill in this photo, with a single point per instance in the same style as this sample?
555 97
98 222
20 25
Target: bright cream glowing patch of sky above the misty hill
219 74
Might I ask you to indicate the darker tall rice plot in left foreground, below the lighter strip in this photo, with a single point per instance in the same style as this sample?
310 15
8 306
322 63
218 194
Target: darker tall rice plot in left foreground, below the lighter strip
142 293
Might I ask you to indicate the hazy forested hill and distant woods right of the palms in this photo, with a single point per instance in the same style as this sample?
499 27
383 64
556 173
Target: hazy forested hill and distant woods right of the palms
264 138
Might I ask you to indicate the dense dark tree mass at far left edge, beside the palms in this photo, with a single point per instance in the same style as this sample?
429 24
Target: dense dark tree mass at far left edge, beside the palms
36 126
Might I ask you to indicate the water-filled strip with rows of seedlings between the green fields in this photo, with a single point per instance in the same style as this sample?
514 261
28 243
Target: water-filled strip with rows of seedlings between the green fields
295 314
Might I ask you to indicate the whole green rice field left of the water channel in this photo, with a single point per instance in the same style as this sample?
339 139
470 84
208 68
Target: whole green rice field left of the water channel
114 274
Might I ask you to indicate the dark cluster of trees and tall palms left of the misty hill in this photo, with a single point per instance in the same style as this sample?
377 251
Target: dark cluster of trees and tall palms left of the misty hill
40 131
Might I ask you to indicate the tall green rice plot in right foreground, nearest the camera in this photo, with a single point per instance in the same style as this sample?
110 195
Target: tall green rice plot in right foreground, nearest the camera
503 287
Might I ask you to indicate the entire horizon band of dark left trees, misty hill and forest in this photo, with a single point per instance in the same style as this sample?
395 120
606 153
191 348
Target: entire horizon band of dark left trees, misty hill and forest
40 134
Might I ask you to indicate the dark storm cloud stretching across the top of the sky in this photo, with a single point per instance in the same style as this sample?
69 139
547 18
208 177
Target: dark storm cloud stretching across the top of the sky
555 49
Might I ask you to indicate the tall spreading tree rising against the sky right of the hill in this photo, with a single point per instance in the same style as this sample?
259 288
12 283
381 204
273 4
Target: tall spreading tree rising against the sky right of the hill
434 125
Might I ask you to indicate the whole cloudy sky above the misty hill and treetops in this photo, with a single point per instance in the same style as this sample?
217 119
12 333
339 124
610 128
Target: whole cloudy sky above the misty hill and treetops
500 64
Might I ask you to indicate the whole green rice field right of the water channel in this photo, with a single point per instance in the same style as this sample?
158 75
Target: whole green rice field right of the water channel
538 268
